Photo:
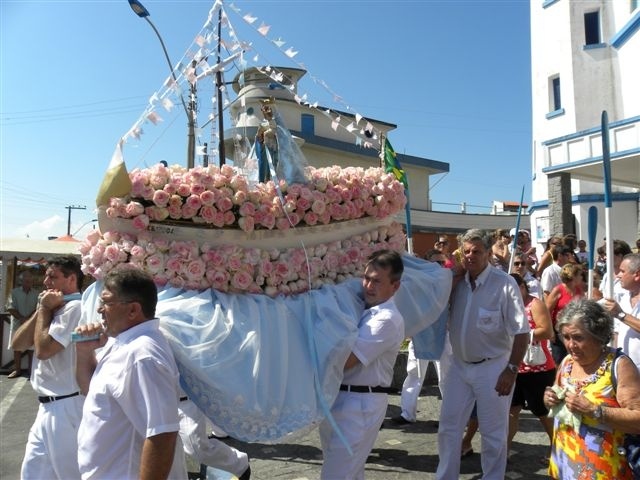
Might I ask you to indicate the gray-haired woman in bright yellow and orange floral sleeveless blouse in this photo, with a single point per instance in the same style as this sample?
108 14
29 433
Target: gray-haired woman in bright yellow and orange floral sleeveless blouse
591 414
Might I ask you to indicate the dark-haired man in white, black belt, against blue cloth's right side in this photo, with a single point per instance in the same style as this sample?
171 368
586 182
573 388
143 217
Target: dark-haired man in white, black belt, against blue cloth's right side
361 404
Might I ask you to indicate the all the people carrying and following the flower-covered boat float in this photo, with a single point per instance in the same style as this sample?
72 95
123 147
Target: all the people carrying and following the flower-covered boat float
100 415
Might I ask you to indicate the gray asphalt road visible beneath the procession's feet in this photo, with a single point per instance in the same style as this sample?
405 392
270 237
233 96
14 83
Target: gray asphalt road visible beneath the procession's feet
408 452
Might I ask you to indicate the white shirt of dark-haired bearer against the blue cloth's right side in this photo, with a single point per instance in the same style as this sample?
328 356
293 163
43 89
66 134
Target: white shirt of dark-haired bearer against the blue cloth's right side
380 334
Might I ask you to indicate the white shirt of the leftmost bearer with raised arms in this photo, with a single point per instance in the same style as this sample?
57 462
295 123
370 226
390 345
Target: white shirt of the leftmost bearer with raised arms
56 376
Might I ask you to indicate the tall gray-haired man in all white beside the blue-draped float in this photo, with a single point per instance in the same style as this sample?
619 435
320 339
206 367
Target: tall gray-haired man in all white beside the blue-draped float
489 334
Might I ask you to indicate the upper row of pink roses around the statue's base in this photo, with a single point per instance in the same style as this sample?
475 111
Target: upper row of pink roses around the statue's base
222 198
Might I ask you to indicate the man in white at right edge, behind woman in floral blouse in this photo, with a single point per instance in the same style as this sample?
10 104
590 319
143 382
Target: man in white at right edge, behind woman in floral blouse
626 311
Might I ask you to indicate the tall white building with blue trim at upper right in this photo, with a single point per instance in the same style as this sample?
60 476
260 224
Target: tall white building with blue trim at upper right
585 59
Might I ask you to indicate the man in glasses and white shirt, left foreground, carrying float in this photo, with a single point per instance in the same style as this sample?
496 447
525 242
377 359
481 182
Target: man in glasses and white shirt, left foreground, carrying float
130 421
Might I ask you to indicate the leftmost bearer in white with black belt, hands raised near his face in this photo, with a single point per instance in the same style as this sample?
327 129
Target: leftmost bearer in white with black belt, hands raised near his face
51 450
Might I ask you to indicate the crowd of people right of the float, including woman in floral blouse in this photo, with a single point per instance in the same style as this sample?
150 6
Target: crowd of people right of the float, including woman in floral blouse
560 321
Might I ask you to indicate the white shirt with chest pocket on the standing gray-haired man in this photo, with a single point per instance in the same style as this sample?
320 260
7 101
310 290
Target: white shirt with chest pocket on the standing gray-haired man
483 322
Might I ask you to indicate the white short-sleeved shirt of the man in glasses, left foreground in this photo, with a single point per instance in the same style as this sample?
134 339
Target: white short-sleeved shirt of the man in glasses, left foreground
133 395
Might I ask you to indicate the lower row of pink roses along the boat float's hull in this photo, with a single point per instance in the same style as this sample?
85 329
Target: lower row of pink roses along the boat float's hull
229 268
